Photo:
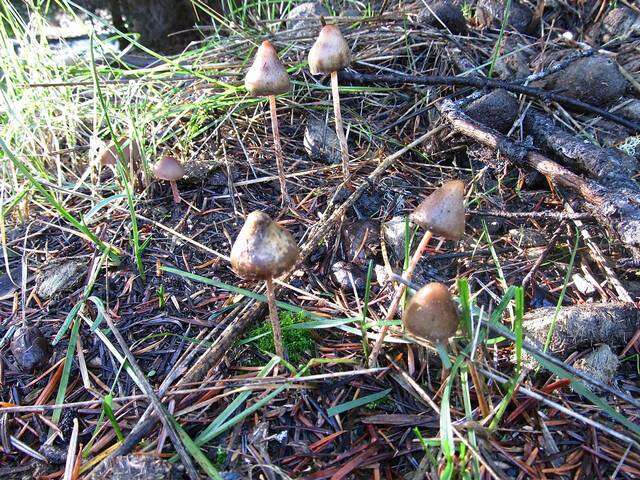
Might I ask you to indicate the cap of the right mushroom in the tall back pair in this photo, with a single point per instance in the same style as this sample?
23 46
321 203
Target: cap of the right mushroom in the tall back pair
330 53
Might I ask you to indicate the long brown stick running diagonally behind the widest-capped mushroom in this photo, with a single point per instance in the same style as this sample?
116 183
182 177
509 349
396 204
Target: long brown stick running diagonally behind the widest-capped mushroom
255 309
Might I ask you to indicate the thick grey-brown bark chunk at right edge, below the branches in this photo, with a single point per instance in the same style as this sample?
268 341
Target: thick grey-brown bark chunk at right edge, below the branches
581 326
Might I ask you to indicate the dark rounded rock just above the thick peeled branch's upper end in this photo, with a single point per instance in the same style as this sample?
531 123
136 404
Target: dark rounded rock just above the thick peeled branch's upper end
498 110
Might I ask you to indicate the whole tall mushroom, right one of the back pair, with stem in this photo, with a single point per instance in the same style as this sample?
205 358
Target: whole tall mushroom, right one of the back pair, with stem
329 54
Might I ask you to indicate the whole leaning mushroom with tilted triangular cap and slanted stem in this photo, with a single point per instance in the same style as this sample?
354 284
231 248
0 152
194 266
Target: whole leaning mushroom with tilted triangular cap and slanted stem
441 213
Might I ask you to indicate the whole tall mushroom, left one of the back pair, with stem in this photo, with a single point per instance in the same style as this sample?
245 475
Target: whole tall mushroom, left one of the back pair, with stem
268 77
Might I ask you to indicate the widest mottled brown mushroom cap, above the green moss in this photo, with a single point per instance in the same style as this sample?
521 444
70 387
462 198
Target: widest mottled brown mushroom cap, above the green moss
262 249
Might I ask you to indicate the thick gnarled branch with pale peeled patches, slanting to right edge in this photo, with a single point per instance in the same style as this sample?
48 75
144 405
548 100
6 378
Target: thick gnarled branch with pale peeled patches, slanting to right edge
616 209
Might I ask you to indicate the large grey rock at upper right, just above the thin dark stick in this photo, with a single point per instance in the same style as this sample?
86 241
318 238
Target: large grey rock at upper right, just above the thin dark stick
595 80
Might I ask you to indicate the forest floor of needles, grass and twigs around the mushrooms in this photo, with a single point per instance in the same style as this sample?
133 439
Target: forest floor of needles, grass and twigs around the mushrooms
118 307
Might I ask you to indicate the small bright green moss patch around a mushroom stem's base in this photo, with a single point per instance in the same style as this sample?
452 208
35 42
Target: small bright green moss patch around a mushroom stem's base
298 343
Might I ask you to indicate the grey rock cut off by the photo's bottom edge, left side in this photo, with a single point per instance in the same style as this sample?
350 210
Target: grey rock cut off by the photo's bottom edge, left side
136 467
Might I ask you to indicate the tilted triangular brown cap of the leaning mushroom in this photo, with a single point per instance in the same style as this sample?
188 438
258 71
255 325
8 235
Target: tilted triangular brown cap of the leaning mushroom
442 212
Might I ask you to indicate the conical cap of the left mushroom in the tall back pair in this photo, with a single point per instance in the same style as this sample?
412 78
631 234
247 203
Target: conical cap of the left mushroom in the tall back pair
267 75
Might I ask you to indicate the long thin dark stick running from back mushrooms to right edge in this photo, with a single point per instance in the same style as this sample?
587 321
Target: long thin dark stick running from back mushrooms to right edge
480 82
